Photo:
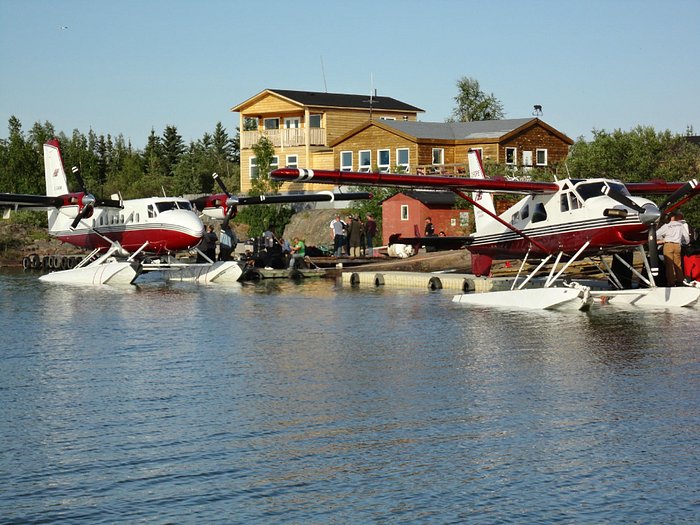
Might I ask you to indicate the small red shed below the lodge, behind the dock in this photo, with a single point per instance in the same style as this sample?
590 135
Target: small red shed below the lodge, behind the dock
404 211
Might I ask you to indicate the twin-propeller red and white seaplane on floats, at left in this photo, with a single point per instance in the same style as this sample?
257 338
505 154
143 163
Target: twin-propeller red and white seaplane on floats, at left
121 232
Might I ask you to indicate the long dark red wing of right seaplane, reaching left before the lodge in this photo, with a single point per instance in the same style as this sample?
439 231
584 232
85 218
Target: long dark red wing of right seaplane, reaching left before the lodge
350 178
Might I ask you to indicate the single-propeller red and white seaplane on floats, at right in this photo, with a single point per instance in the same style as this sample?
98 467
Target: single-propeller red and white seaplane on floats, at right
564 220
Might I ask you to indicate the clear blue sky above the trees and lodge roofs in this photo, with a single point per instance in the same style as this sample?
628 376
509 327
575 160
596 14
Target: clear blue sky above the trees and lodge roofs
128 66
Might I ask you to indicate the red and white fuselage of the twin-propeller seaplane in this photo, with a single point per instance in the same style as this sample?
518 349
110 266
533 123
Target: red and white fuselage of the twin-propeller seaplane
165 224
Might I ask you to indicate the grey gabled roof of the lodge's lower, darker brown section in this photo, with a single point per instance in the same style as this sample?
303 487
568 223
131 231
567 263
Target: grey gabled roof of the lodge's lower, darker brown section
481 130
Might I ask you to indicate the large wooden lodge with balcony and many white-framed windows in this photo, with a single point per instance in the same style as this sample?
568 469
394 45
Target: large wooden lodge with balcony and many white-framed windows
361 133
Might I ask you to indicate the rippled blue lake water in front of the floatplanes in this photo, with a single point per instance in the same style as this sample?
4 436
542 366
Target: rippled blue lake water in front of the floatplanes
314 402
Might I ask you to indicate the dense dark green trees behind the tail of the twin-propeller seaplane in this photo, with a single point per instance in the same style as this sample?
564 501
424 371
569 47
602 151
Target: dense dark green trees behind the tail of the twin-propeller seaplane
110 165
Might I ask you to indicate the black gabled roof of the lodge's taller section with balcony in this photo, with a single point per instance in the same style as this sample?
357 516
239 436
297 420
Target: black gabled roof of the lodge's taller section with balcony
334 100
